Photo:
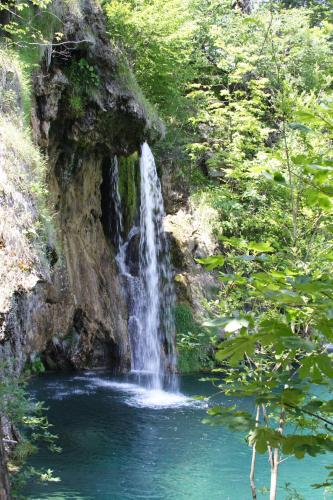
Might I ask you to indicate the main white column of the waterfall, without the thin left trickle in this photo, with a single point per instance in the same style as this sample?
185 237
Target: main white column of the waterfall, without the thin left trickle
155 274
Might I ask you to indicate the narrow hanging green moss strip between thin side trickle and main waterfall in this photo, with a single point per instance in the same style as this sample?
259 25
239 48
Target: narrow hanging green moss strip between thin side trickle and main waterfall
129 178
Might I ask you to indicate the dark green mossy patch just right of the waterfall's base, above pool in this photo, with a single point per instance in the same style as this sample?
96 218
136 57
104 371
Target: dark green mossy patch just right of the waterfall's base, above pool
194 344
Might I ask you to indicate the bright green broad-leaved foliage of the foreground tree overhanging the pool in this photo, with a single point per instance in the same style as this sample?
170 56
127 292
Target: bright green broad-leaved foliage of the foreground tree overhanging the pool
275 344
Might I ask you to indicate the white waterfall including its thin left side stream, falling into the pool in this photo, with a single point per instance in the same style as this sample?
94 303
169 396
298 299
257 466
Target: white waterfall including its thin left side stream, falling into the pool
150 294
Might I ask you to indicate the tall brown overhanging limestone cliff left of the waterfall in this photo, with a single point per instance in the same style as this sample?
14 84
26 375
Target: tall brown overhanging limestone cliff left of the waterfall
64 302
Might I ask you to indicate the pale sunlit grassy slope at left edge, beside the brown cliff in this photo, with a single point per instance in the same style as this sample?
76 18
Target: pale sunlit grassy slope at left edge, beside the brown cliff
26 224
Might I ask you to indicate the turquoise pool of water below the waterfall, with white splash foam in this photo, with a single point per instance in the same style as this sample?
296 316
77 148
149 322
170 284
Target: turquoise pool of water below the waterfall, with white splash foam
124 443
